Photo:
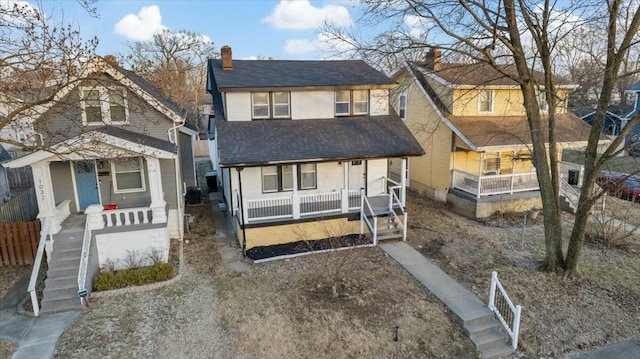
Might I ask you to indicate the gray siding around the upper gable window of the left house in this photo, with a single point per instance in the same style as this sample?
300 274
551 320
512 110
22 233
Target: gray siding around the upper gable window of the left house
64 119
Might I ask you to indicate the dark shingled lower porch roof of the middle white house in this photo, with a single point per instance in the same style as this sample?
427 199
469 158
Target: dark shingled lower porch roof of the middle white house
254 143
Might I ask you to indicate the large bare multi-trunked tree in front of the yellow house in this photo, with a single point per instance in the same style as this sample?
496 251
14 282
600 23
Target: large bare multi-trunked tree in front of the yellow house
525 35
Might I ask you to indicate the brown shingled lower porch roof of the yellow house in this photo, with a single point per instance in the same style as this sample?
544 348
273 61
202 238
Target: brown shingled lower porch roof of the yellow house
500 131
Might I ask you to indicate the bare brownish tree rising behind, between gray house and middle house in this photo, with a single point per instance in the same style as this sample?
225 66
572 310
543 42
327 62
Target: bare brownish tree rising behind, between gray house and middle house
175 63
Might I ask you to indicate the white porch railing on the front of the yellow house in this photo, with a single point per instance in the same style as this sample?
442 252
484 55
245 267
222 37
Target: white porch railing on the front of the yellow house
495 184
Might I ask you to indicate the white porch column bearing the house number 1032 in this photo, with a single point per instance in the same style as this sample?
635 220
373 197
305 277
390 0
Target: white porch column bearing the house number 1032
44 194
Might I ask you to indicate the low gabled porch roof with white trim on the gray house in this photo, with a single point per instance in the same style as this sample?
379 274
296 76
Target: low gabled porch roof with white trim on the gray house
105 142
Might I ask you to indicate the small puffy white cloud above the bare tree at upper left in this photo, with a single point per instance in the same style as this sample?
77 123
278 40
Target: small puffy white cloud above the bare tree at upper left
142 26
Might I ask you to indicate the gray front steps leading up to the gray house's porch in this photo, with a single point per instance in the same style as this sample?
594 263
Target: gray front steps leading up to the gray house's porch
61 286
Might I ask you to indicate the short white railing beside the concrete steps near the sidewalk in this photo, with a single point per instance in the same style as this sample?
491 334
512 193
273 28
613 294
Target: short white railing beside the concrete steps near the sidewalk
507 313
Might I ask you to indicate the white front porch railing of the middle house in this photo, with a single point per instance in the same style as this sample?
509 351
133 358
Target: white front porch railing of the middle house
299 205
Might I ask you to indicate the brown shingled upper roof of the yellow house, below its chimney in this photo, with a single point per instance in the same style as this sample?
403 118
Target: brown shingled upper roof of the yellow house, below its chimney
481 75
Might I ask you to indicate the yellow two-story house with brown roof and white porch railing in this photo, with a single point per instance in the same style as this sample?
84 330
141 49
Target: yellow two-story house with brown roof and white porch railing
471 121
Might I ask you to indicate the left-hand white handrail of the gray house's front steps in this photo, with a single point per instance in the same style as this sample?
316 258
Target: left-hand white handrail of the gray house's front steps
46 240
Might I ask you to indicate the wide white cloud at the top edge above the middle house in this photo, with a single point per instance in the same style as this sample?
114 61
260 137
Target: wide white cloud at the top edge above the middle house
300 15
